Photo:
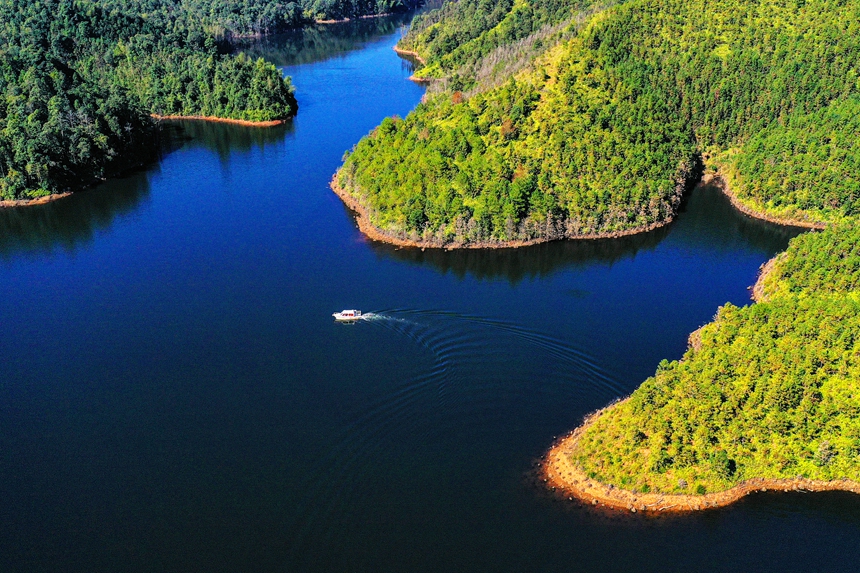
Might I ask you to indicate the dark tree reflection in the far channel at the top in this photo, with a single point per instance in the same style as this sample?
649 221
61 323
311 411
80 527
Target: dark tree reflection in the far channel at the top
323 41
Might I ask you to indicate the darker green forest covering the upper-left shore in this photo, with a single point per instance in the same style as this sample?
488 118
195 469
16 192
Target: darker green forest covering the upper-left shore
81 78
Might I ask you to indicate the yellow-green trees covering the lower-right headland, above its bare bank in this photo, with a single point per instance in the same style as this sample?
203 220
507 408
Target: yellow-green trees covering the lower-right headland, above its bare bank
771 390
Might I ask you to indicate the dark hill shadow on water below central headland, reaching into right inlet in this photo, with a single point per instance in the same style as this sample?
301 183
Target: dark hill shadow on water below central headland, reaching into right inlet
707 217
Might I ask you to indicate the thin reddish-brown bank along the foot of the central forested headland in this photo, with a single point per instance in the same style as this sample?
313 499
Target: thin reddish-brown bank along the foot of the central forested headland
376 234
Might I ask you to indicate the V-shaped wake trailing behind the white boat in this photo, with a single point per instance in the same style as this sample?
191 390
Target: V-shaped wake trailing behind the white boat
457 375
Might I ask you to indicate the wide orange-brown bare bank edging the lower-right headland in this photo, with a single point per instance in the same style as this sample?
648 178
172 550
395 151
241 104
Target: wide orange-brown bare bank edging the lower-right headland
560 473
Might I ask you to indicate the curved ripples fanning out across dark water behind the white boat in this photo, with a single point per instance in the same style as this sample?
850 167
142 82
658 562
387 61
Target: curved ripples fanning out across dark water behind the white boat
477 376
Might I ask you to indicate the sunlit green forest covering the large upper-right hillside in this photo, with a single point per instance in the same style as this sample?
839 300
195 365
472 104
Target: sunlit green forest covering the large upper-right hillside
601 132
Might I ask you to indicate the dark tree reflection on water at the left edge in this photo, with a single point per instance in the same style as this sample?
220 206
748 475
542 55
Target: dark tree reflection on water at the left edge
73 221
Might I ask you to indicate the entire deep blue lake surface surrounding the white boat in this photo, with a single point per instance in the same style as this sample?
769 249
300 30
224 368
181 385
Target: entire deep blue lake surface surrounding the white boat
175 396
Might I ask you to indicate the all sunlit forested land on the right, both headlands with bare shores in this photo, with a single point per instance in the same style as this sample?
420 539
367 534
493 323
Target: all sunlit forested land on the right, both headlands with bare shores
549 119
